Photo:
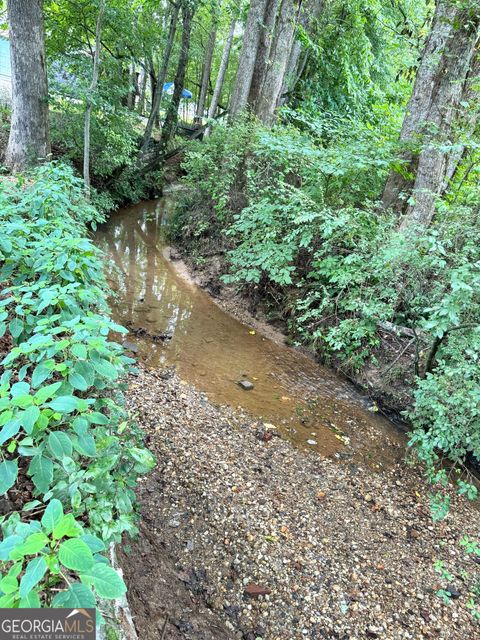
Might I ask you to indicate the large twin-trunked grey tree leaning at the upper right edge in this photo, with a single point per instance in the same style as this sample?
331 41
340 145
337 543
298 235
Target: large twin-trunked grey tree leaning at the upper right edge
431 112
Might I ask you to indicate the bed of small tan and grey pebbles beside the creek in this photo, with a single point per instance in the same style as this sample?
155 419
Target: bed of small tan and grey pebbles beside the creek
335 549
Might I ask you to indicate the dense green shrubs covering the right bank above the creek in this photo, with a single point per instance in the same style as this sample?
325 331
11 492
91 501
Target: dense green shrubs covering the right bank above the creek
304 230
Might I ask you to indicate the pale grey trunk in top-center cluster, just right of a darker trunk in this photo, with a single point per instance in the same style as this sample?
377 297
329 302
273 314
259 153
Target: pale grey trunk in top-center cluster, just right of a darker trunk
275 72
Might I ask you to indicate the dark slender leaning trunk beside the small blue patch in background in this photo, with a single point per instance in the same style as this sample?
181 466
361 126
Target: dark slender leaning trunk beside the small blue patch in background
171 119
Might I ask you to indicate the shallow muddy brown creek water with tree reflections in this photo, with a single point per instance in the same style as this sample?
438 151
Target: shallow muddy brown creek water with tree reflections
292 394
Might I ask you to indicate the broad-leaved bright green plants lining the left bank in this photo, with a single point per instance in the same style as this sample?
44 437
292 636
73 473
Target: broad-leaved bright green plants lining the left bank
62 421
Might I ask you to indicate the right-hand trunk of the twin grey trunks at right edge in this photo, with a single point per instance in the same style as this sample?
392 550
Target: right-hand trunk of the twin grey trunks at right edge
445 107
